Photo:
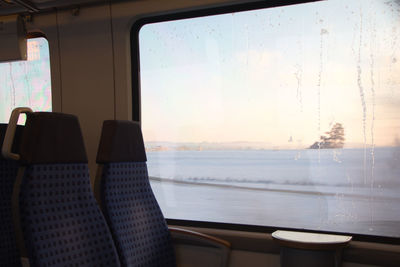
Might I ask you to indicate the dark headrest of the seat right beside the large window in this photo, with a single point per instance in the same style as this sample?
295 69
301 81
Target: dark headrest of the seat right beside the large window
121 141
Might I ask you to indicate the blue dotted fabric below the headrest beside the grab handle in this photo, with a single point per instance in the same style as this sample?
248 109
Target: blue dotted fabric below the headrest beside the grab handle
60 220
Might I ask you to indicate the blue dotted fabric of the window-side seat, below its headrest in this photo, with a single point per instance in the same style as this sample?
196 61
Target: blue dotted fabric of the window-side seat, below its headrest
136 221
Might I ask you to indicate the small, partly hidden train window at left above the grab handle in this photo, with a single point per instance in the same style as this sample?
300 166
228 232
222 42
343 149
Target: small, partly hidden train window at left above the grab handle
26 83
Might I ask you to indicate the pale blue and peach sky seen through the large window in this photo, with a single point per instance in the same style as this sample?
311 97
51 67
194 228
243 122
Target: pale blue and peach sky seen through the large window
280 76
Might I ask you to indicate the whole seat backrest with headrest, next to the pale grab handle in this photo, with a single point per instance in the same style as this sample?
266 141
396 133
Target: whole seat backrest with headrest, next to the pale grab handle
60 219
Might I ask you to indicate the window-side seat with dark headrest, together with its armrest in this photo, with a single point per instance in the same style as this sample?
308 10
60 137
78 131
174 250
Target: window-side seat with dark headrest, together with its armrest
123 190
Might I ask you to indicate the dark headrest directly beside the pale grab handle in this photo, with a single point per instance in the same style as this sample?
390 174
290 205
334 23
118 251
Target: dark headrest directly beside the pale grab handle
51 137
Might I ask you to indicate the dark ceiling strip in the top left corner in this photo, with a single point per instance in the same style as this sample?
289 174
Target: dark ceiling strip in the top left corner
8 7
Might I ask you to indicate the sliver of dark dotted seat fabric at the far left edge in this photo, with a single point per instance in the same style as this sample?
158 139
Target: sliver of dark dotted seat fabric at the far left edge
9 255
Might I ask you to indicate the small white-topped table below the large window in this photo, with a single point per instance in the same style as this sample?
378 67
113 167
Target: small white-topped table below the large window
310 249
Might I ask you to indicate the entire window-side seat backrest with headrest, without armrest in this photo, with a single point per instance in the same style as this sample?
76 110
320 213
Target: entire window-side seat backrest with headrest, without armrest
123 189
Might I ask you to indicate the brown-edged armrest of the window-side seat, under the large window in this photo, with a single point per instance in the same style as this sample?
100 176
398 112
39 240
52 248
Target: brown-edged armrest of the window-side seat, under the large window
196 238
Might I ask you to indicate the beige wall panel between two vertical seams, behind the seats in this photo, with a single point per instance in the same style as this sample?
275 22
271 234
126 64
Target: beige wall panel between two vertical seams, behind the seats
87 71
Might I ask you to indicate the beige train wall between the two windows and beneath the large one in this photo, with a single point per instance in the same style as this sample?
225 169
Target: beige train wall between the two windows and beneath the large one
91 78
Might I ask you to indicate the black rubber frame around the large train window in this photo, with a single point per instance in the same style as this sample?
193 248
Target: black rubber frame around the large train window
136 110
